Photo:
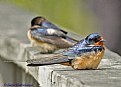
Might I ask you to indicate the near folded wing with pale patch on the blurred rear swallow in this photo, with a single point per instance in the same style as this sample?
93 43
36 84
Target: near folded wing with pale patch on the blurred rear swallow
51 36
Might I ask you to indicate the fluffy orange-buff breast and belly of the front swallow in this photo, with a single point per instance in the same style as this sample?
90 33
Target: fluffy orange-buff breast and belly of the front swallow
90 61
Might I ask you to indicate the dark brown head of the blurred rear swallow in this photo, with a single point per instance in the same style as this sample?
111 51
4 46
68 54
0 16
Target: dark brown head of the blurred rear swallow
37 20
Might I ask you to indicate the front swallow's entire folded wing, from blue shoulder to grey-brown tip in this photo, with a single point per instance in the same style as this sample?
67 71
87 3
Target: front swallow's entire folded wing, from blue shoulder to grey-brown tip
63 57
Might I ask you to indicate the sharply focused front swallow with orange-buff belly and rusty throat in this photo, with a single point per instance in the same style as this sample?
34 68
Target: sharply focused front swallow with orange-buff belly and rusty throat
86 54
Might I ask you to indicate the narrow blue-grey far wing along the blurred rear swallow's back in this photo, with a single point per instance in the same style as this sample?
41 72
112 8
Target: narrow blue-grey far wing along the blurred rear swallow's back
50 25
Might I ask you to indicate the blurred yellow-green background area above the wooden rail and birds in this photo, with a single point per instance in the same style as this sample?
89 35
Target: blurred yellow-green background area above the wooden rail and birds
73 15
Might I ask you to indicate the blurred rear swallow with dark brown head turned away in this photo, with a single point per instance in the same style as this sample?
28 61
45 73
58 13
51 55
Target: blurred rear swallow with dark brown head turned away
48 37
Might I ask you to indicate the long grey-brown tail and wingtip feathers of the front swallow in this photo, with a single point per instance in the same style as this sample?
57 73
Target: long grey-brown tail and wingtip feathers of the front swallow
49 60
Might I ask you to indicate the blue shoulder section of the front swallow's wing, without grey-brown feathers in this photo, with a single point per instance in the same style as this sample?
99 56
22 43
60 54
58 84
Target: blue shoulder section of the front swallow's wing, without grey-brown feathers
87 50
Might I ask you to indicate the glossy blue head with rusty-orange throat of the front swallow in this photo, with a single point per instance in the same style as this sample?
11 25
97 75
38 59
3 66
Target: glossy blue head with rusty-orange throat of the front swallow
95 39
